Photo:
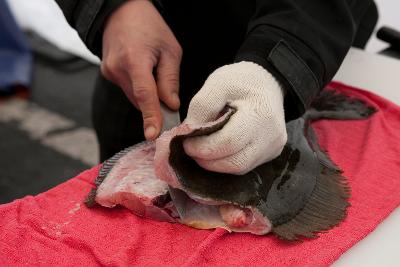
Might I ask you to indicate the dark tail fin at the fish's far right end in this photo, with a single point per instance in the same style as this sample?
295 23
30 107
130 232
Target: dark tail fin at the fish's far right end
330 104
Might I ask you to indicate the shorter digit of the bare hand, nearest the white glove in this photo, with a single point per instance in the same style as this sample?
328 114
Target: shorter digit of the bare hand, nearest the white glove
168 79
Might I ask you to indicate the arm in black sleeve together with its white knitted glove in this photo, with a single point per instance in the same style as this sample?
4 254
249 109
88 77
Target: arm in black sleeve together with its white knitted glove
293 48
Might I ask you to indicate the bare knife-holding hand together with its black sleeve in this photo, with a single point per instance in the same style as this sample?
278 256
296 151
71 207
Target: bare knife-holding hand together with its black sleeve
138 50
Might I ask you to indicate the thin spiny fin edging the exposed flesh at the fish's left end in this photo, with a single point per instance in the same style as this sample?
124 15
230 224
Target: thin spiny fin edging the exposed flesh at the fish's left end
103 172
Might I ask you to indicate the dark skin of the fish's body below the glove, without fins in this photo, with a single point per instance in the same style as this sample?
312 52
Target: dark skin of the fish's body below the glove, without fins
279 188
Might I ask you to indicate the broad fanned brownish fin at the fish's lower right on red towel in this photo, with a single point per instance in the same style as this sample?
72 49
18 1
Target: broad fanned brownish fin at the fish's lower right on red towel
325 209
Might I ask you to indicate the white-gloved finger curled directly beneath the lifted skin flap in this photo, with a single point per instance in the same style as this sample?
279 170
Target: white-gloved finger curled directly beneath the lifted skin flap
232 138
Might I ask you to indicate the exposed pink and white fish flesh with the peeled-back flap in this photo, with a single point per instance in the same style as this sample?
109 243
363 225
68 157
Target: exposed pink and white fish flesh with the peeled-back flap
139 177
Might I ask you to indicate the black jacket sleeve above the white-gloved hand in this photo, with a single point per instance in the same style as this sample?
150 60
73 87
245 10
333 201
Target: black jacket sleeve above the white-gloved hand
302 42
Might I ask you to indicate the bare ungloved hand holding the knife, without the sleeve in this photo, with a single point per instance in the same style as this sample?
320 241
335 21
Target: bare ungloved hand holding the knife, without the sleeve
136 41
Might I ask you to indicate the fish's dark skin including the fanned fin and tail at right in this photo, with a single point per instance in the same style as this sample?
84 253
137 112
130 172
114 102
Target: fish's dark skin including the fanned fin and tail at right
301 192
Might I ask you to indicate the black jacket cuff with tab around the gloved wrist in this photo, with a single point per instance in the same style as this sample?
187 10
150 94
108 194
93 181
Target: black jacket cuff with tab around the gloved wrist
277 52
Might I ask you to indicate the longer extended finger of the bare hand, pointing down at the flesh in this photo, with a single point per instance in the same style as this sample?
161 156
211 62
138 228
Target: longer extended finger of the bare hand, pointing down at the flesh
145 94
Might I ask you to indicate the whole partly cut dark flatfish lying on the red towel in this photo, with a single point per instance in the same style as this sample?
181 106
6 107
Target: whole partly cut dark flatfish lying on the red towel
298 194
